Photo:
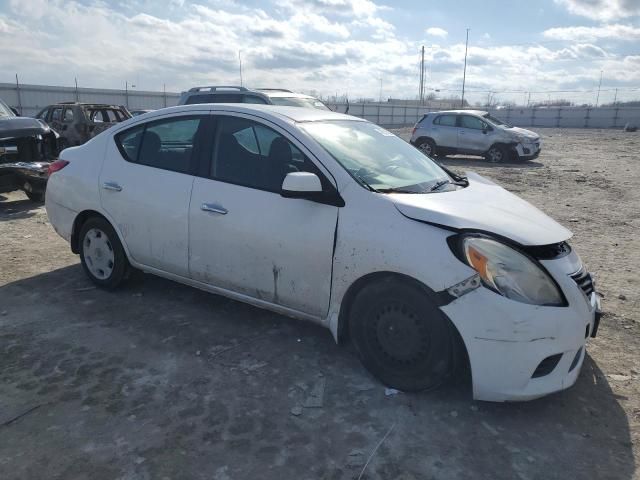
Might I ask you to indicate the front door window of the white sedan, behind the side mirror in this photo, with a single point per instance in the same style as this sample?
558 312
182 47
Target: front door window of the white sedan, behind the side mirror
249 154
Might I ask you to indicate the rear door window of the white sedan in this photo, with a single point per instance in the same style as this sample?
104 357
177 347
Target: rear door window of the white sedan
166 144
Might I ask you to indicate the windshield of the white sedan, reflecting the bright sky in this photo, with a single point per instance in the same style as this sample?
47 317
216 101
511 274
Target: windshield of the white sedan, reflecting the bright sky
376 158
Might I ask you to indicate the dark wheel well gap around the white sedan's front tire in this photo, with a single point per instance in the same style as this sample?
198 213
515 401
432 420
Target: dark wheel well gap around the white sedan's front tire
462 360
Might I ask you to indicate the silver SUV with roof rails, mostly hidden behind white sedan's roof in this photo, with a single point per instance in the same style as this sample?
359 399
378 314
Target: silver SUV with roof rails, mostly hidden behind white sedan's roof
268 96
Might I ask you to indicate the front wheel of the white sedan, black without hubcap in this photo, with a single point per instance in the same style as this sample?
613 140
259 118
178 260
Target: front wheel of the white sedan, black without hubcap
401 337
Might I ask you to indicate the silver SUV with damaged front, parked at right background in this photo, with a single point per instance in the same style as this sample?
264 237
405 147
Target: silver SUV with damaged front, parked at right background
474 132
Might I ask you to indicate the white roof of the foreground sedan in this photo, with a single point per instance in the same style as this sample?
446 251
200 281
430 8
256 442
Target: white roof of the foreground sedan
290 114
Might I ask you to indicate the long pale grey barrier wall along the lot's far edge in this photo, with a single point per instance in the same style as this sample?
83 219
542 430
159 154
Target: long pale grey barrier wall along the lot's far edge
30 99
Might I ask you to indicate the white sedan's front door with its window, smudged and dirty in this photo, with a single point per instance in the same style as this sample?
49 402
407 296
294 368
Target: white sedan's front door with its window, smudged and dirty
247 238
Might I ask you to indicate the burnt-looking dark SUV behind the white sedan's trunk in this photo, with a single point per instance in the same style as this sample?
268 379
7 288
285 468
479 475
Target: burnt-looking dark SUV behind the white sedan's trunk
79 122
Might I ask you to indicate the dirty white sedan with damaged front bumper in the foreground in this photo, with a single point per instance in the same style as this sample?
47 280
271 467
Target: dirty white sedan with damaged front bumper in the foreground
330 218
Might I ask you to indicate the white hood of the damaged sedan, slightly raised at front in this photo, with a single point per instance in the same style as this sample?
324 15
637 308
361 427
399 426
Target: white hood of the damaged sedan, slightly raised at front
483 206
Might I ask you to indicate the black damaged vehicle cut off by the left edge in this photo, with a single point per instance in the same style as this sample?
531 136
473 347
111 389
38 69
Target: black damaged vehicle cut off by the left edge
27 147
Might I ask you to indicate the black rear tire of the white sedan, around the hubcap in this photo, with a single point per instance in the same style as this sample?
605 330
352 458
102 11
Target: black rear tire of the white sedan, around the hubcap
115 274
